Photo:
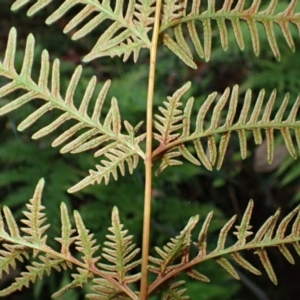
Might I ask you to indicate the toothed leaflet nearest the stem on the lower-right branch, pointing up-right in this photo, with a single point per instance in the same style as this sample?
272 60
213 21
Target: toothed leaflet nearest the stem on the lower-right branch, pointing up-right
178 247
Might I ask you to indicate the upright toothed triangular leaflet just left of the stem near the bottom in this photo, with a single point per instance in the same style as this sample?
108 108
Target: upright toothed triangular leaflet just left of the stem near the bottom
120 251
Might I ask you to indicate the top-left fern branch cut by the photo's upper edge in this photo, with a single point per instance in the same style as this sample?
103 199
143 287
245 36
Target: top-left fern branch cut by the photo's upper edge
127 33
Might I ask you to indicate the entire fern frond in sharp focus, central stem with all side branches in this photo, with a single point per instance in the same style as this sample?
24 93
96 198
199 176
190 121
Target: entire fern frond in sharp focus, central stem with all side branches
183 27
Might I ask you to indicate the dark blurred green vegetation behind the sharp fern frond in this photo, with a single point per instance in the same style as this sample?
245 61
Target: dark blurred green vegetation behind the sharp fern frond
178 192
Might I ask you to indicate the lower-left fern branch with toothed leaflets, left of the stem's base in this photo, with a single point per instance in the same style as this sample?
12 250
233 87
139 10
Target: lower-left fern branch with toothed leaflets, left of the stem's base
15 247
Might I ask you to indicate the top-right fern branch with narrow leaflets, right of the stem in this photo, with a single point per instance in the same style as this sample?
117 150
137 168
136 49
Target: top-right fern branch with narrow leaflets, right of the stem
177 13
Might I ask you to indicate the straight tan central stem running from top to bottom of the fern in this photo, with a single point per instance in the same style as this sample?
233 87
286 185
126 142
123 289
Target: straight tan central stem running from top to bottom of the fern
148 159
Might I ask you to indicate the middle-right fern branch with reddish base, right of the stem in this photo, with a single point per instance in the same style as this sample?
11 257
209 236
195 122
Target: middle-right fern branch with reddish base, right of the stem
175 120
